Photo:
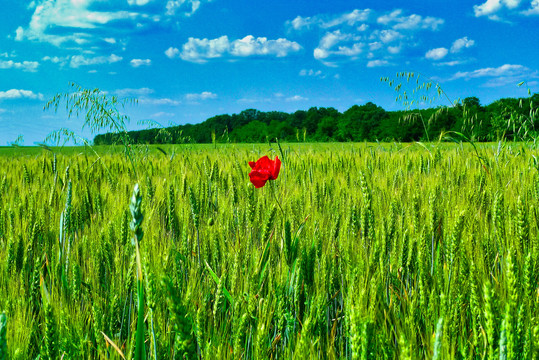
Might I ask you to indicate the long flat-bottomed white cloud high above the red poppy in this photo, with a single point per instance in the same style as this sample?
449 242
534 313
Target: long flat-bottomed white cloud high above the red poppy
202 50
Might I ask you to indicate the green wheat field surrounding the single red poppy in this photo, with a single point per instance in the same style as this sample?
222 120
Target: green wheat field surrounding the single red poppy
371 251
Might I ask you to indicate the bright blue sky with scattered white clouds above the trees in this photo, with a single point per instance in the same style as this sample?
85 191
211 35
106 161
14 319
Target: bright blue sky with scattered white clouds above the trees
187 60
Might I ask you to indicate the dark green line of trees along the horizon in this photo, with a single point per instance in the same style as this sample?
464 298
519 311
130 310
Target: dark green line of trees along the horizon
508 118
